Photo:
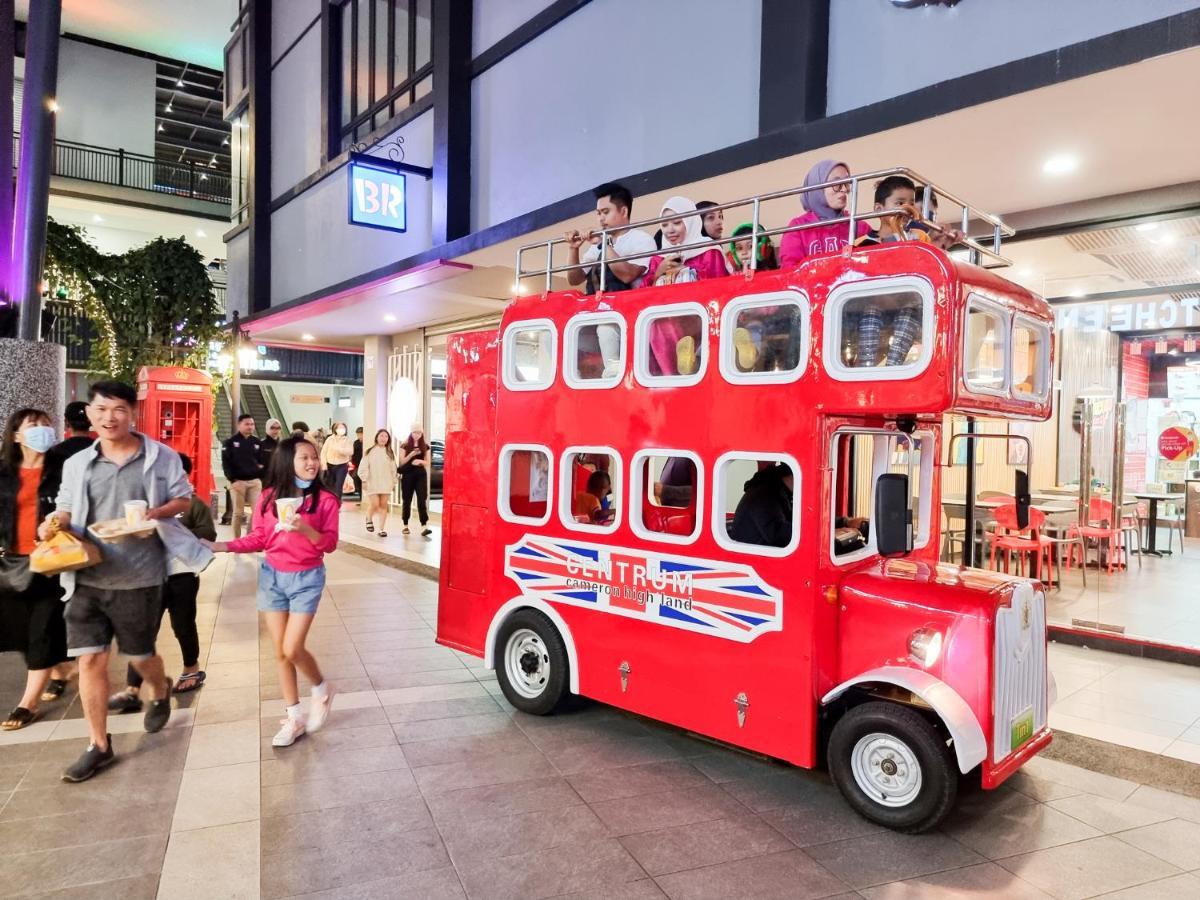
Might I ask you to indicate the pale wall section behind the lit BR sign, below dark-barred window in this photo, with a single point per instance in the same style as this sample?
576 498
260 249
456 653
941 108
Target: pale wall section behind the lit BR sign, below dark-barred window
314 247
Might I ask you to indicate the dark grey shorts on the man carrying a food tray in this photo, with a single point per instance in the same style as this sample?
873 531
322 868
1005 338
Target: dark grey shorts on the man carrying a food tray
95 616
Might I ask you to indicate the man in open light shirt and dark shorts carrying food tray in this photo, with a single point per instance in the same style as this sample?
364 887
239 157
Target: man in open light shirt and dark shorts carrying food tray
112 490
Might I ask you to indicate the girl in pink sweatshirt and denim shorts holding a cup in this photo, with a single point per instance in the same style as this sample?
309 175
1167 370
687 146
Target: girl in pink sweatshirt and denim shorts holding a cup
296 523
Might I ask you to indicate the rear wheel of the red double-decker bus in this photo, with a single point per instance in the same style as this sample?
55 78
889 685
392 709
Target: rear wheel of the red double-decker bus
532 664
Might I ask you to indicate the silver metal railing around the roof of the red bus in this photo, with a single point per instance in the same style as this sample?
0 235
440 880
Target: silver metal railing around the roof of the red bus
980 251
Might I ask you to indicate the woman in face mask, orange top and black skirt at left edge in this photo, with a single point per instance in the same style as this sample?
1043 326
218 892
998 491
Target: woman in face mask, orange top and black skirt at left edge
31 614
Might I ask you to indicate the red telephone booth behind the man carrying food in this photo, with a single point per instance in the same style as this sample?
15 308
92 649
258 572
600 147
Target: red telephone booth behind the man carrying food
176 407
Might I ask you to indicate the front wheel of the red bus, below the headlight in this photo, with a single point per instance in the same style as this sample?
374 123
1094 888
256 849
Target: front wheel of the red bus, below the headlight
893 767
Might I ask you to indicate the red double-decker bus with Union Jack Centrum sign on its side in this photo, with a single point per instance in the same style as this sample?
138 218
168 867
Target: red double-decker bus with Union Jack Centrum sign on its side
717 505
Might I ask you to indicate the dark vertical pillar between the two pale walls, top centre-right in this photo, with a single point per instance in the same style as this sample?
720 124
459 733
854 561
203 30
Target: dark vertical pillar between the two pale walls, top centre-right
794 63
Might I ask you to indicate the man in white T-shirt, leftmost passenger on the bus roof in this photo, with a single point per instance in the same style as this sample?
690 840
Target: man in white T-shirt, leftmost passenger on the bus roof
615 205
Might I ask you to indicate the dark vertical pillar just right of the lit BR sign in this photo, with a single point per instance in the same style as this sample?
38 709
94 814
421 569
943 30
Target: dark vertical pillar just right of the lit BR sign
452 119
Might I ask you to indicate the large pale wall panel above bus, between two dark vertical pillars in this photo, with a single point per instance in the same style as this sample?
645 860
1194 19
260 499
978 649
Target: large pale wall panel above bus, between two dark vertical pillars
551 121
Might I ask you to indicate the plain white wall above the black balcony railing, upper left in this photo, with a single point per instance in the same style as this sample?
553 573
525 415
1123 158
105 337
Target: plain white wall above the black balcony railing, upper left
106 99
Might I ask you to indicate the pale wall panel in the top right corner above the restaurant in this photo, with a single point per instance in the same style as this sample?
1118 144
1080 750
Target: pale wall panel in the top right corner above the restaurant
937 44
